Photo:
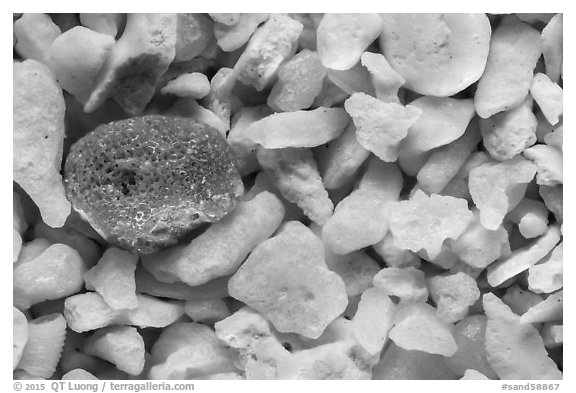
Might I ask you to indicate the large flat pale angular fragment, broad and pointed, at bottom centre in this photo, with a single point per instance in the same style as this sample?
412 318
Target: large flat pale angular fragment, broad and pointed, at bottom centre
286 276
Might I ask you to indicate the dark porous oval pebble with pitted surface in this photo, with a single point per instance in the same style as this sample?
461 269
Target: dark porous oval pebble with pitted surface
144 182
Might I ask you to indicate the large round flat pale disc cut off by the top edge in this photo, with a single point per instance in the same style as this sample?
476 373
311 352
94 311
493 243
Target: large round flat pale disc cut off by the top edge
444 55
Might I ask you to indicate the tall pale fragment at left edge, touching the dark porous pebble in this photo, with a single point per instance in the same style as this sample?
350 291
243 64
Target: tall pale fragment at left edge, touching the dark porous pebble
38 138
